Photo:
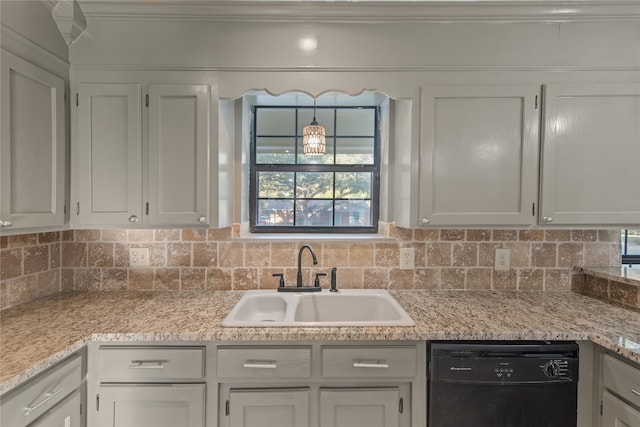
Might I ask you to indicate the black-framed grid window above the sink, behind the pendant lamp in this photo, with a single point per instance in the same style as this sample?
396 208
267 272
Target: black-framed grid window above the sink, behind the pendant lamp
337 192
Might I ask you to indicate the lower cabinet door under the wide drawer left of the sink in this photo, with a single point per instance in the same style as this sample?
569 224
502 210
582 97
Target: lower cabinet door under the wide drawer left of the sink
151 405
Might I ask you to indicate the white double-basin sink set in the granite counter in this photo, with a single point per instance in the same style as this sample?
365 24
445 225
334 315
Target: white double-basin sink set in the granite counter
348 307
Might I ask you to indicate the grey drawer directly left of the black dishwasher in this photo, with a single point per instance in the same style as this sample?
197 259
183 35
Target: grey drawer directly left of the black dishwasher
358 362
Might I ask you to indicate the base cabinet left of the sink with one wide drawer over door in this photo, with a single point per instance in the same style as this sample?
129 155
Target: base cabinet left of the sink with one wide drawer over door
148 386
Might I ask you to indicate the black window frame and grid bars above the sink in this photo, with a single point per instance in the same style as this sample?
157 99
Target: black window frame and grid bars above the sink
255 168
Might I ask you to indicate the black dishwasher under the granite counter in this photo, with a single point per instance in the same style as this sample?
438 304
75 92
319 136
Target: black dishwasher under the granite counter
503 384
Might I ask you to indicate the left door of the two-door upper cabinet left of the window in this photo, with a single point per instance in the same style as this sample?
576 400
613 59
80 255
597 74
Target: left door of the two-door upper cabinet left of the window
109 155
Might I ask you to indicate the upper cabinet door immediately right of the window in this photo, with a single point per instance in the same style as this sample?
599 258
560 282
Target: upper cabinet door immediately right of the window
479 155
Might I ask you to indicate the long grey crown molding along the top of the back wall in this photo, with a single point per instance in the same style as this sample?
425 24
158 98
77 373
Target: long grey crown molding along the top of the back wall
365 11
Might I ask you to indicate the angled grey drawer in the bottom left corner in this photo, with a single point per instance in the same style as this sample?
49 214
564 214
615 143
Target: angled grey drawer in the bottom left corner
42 393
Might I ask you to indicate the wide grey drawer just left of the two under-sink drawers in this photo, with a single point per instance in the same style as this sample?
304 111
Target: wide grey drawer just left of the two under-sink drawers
151 363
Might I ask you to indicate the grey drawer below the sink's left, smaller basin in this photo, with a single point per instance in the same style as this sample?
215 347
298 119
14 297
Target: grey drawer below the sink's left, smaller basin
269 362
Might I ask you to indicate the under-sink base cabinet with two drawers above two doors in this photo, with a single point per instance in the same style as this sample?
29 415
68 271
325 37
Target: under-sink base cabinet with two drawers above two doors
321 385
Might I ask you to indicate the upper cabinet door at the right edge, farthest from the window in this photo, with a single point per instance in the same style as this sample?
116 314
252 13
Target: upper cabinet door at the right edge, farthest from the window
591 153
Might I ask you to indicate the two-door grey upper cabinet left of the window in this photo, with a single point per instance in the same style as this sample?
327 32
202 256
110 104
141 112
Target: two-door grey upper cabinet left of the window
125 183
